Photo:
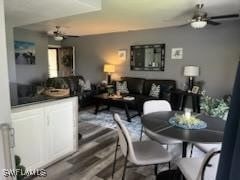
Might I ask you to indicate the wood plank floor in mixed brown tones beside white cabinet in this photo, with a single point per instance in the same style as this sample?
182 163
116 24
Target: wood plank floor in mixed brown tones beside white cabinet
94 159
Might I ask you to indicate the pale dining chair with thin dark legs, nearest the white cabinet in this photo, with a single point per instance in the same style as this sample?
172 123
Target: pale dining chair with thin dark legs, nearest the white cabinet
138 153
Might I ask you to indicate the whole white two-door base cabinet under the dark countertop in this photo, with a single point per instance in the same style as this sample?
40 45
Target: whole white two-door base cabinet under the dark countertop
45 132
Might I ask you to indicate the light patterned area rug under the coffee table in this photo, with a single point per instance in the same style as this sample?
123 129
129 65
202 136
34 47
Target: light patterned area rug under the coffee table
105 119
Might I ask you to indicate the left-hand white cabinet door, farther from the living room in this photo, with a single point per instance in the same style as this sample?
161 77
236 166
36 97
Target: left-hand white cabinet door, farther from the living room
29 137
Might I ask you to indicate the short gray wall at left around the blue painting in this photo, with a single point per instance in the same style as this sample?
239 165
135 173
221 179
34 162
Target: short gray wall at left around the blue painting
26 74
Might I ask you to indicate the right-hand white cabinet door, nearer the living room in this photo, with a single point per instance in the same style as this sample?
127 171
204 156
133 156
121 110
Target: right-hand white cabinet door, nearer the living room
60 129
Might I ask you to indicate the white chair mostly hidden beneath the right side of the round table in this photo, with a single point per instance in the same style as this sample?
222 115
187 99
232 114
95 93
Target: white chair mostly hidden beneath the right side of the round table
205 147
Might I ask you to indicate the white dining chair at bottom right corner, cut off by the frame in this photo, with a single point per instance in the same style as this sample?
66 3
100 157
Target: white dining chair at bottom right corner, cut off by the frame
200 168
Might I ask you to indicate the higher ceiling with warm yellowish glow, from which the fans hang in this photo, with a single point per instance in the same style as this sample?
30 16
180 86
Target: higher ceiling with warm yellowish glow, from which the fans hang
127 15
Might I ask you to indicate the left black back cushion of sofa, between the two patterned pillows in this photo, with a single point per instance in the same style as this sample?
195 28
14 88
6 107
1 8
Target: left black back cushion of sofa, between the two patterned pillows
135 85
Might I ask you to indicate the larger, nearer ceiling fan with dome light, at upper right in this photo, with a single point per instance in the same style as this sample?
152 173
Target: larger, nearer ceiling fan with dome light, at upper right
200 18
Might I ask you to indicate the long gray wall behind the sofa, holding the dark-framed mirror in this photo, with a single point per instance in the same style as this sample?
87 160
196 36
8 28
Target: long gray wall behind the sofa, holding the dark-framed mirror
215 49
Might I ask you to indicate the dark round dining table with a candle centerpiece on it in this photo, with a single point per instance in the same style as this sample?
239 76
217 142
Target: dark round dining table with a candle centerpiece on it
158 124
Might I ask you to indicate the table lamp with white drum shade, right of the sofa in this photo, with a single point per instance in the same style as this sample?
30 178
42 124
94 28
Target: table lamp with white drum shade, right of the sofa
191 72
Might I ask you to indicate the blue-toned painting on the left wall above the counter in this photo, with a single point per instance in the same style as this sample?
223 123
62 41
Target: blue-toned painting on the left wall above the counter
24 52
